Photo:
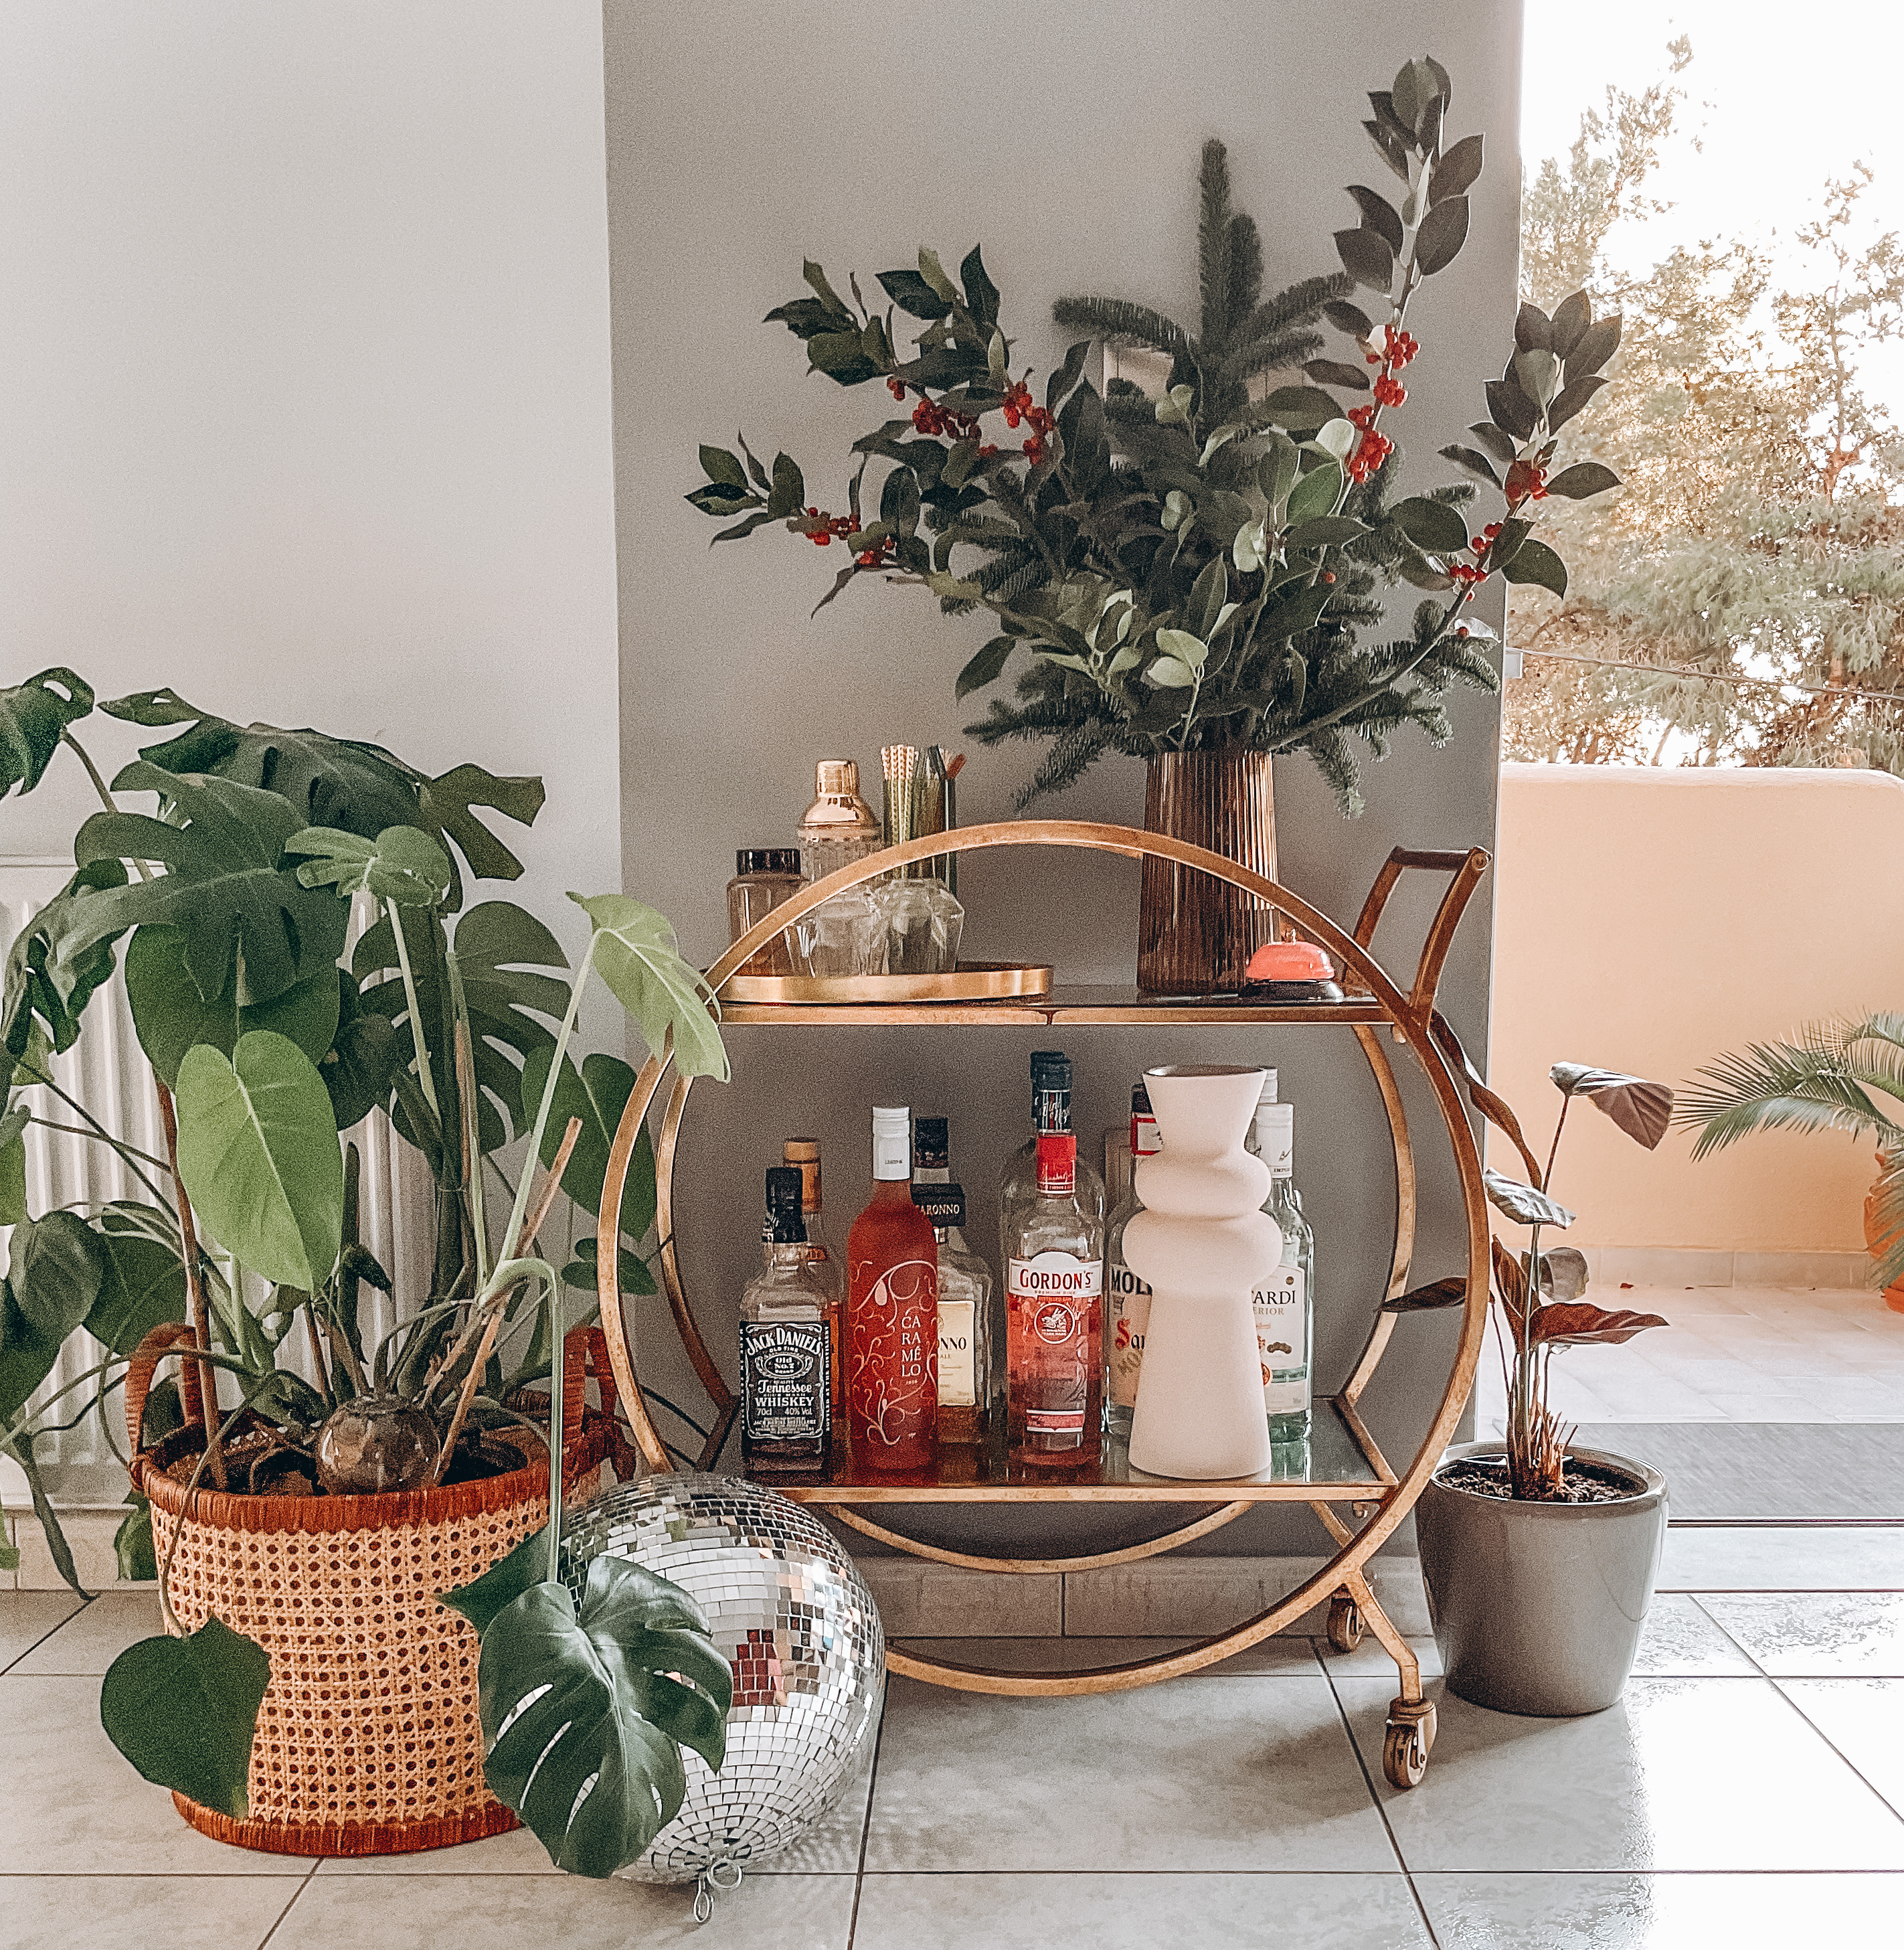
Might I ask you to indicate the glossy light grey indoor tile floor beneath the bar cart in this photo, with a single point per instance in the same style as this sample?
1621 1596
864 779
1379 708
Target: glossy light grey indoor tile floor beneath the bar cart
1747 1793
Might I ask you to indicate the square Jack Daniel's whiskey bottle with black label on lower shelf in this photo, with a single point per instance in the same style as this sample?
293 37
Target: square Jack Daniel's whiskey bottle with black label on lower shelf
786 1401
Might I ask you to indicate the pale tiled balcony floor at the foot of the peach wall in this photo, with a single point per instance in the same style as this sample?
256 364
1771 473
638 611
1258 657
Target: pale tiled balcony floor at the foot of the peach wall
1730 1354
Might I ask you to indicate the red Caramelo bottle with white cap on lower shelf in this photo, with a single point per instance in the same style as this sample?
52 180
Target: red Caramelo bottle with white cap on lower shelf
894 1313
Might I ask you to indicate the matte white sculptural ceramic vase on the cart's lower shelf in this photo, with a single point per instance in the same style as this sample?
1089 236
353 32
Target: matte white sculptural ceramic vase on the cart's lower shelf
1203 1243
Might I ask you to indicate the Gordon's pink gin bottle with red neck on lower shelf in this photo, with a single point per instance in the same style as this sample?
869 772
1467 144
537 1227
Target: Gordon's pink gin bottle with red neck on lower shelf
1055 1251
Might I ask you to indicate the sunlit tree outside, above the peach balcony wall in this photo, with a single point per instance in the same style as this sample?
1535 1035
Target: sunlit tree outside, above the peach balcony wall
1743 602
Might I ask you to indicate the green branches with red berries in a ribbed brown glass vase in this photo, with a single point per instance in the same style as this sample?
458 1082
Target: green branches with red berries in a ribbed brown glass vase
1194 576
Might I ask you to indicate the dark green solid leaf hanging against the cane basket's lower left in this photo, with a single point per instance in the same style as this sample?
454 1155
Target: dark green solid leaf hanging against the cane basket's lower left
184 1711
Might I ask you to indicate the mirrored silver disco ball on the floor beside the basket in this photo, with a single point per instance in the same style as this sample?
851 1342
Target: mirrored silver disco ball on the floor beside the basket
792 1616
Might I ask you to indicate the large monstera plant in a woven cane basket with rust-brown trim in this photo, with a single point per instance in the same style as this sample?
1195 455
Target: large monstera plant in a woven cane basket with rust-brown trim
313 1692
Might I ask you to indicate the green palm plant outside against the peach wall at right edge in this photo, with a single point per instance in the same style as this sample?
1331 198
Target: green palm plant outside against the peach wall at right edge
1839 1075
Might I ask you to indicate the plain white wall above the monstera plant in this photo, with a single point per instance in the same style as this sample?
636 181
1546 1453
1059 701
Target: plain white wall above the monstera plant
307 405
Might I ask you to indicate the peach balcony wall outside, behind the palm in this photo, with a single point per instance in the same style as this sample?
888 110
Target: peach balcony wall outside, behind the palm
1652 919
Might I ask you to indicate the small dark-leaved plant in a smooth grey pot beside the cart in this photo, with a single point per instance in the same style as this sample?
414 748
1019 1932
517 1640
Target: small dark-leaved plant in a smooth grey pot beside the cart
1539 1557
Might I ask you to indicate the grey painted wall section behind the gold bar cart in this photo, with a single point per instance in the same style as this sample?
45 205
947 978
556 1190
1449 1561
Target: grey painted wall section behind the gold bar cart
1065 139
